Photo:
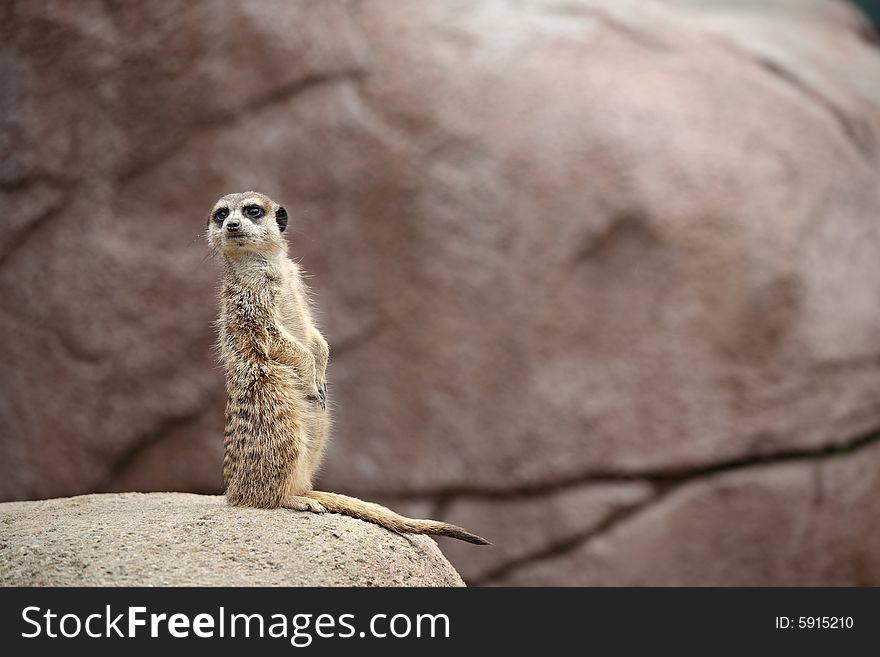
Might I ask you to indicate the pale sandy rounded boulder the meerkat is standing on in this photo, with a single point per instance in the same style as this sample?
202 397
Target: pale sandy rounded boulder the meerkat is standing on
179 539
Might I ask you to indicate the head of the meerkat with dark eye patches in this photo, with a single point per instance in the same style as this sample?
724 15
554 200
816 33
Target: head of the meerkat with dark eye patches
246 223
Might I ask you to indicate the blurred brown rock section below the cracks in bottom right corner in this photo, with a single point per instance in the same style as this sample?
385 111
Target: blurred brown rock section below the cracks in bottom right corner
797 523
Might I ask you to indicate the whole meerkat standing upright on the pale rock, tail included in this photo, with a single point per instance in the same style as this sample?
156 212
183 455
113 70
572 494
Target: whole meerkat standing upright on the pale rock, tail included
277 415
